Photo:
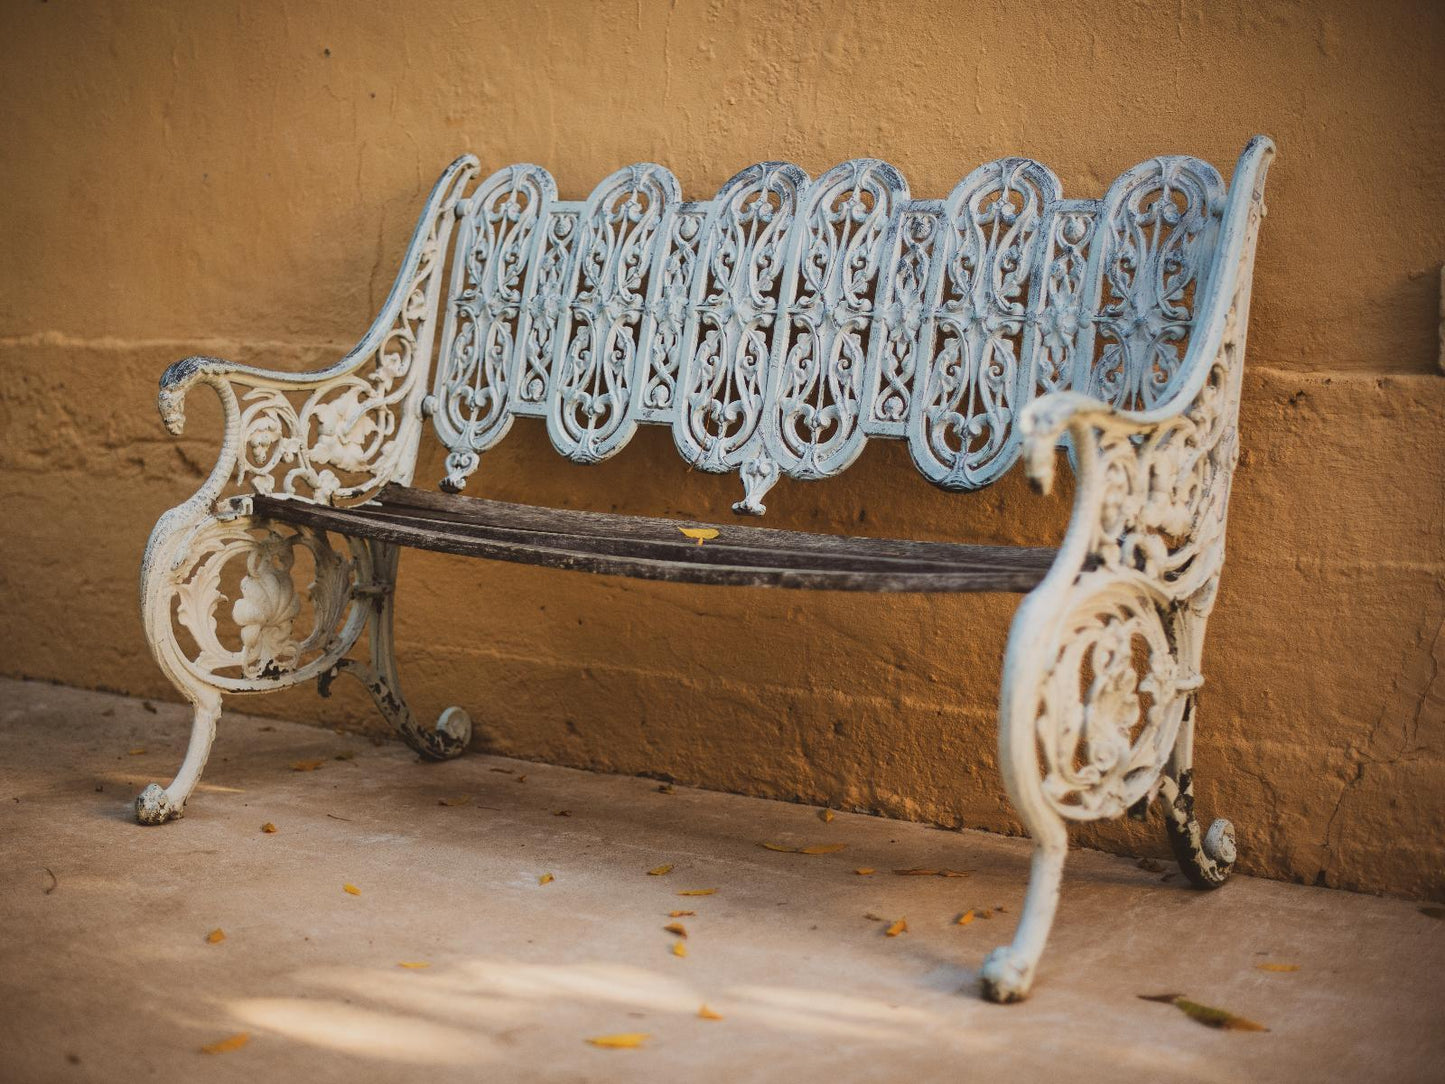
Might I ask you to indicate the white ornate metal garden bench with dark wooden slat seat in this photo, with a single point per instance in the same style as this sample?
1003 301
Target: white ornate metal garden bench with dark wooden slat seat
775 329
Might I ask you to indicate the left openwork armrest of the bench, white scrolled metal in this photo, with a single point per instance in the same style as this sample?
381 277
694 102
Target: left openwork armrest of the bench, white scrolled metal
335 436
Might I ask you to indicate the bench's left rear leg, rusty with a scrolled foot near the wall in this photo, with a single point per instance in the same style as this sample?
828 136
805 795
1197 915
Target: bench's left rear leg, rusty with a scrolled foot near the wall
453 731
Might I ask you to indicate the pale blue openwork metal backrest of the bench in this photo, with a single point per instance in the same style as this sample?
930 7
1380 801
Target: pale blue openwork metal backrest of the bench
782 324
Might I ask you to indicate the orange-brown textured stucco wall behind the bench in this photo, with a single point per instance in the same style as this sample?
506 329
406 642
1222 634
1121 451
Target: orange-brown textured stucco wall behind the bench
241 180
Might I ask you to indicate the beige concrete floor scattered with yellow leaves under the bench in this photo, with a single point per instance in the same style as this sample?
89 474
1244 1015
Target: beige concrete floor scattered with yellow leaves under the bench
106 972
